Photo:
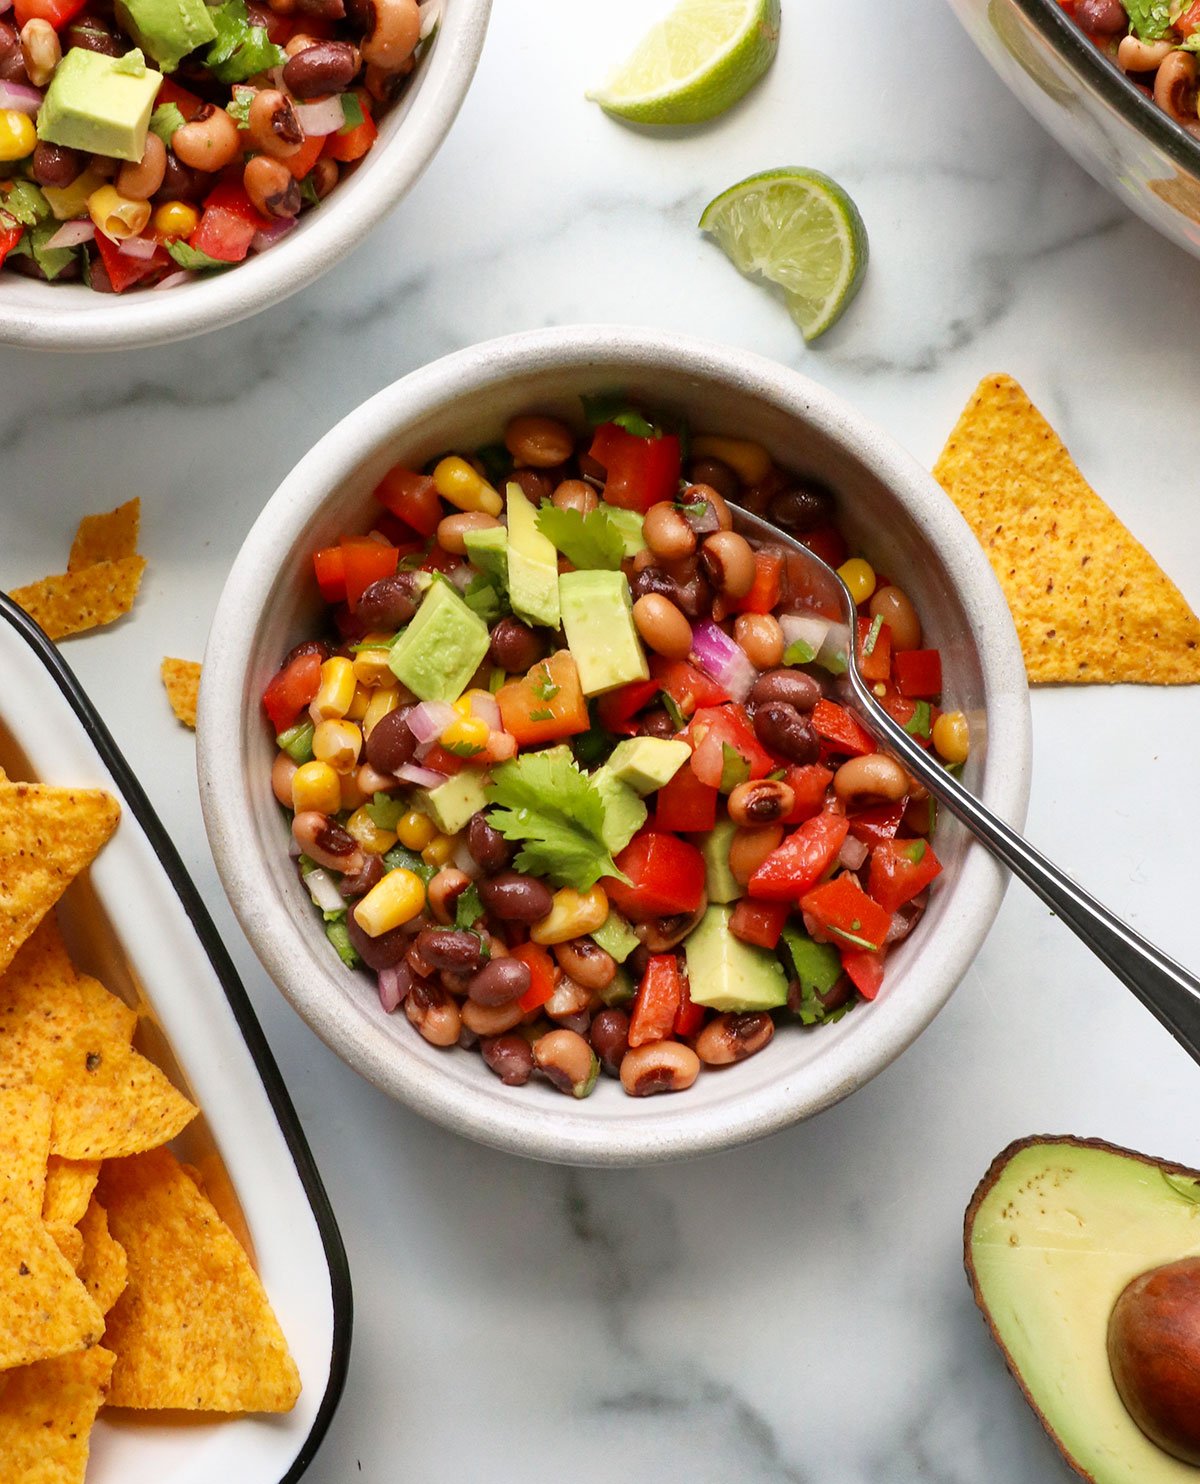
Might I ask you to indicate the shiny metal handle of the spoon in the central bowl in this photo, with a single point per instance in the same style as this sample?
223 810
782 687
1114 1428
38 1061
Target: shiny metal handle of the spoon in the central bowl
1164 986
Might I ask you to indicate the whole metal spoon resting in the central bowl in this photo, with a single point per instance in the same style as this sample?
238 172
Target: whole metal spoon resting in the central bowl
1164 986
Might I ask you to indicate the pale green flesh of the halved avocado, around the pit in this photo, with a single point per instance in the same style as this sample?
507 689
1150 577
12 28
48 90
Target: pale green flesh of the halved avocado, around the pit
1054 1234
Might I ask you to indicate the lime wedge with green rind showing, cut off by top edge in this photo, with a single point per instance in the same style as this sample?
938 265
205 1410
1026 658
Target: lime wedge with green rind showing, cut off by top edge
695 65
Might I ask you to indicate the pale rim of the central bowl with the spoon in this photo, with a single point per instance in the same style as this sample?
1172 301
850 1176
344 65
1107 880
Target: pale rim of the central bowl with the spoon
514 1126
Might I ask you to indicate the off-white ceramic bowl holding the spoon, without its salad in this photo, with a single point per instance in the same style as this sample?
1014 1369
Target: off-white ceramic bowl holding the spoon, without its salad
271 603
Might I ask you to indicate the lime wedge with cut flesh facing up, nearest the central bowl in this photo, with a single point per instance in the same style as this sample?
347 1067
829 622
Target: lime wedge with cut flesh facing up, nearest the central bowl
800 231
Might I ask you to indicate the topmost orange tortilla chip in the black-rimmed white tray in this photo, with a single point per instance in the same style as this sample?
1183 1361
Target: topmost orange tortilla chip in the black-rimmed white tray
48 836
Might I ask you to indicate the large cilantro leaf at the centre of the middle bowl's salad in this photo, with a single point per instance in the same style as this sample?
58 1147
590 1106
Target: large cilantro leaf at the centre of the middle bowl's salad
557 812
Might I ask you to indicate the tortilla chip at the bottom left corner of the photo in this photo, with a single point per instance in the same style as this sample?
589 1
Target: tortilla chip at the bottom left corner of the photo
47 1415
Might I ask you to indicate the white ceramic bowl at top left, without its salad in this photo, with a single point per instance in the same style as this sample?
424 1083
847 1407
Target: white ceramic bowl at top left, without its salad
70 317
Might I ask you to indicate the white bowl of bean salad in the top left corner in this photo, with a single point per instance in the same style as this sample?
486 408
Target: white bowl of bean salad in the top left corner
168 167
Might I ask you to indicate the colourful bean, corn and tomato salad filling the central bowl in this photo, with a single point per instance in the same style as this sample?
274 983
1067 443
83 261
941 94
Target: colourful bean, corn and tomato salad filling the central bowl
570 774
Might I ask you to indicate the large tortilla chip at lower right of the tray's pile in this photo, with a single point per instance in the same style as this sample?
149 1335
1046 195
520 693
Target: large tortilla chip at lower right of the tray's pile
194 1329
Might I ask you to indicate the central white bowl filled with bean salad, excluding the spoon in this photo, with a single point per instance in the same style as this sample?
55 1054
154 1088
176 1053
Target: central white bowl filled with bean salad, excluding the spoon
533 783
